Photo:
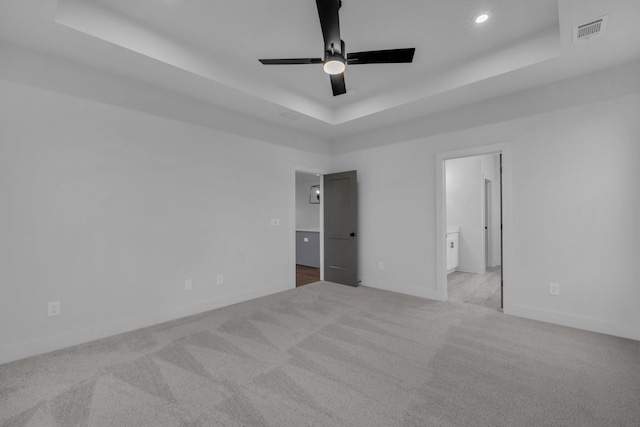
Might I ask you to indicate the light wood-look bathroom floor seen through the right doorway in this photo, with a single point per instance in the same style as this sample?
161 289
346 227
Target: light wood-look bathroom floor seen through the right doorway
478 289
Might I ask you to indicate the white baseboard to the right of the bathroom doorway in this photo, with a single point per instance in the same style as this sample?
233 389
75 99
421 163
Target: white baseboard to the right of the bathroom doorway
608 327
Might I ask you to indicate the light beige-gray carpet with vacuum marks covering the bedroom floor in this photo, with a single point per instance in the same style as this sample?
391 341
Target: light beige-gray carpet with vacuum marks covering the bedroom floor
331 355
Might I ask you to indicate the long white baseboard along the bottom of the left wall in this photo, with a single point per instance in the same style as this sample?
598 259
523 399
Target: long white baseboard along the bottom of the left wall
41 345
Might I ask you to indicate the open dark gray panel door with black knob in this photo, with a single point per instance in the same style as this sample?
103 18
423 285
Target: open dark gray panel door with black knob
341 228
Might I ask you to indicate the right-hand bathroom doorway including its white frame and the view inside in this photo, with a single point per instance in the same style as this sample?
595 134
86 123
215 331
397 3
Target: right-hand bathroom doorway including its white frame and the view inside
470 203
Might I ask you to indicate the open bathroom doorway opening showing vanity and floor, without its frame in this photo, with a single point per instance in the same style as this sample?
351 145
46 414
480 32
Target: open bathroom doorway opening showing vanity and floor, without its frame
474 230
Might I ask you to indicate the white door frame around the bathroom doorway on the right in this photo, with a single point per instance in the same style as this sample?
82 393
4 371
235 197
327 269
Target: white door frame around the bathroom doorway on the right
507 219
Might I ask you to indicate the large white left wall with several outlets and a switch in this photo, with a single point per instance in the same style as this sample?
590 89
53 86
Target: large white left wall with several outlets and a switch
109 211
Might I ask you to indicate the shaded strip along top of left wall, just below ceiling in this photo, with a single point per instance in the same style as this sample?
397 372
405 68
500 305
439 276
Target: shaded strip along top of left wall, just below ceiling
147 95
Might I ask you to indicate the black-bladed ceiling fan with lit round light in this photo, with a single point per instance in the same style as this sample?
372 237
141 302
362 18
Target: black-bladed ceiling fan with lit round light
335 58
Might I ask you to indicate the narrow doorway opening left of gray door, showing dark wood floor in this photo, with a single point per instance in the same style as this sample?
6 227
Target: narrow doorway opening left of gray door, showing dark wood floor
307 223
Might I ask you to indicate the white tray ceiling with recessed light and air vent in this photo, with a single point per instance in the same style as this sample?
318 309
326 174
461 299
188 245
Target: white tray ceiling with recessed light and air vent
208 50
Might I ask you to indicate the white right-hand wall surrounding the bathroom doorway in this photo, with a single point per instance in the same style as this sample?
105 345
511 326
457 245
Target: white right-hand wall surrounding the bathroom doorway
575 209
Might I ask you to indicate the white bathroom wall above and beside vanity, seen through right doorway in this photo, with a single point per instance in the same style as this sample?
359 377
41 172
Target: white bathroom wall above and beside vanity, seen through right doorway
464 209
